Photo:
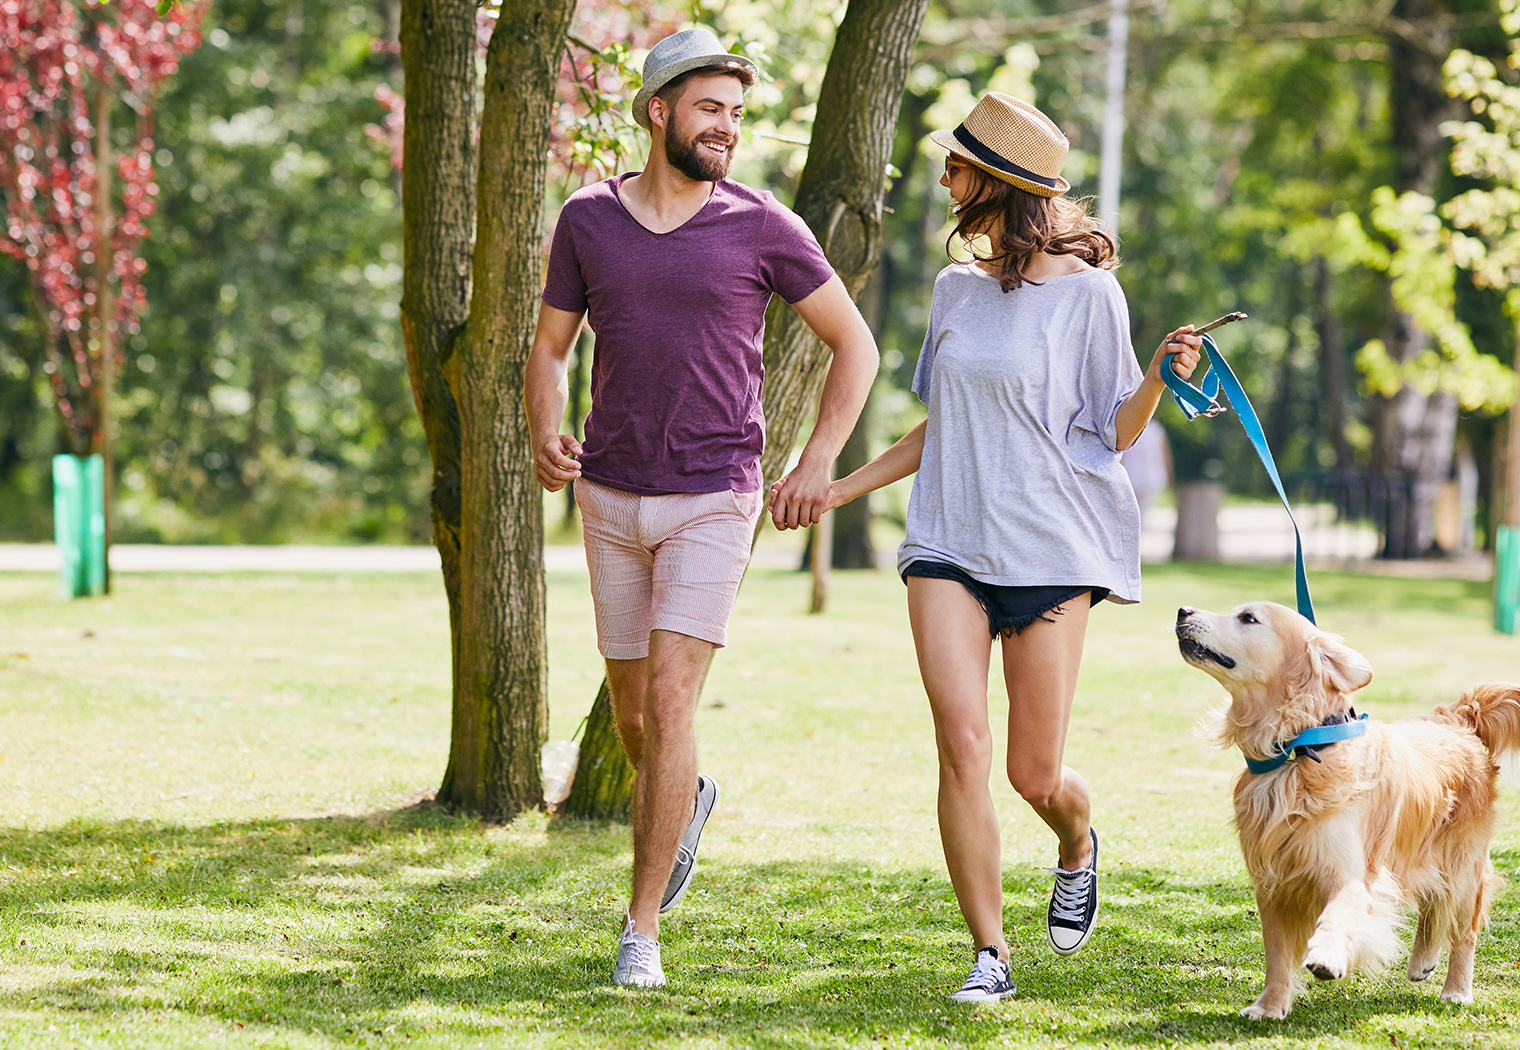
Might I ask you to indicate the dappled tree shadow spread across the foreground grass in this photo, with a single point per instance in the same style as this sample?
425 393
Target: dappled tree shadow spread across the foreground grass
420 923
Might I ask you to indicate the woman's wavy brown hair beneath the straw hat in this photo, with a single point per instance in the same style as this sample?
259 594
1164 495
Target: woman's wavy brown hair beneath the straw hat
1021 224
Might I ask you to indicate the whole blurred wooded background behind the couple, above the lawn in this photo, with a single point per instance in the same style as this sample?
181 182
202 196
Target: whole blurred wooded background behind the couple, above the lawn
265 399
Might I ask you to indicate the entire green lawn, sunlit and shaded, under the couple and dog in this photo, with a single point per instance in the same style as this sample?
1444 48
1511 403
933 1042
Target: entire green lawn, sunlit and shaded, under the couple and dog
211 837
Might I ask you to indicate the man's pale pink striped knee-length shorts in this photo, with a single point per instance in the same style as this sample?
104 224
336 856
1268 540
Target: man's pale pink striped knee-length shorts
663 563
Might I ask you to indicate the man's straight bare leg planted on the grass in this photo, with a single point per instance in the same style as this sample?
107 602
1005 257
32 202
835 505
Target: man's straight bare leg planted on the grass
663 794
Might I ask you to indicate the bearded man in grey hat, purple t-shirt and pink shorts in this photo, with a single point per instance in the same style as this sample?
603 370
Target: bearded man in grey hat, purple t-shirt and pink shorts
674 268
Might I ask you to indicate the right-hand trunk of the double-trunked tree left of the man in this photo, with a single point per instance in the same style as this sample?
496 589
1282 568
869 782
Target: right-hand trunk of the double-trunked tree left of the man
501 689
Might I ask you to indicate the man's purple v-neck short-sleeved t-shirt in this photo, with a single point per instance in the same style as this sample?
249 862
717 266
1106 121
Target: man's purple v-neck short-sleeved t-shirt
680 323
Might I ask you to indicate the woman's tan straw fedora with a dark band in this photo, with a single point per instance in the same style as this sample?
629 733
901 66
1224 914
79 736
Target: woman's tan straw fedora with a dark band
1012 141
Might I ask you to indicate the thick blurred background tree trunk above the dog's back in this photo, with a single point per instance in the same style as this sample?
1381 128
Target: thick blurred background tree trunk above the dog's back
1416 432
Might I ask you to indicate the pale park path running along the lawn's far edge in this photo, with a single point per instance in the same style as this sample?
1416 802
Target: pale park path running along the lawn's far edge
1249 533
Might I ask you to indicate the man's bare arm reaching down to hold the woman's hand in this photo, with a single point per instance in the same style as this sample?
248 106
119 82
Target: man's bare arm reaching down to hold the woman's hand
829 312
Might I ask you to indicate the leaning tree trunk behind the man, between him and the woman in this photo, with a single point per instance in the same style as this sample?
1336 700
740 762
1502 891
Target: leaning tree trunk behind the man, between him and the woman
840 197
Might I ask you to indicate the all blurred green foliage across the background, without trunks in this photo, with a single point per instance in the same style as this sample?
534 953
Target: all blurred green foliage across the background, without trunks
267 397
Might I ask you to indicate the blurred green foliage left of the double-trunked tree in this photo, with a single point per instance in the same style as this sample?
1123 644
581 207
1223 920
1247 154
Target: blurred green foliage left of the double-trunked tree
267 396
